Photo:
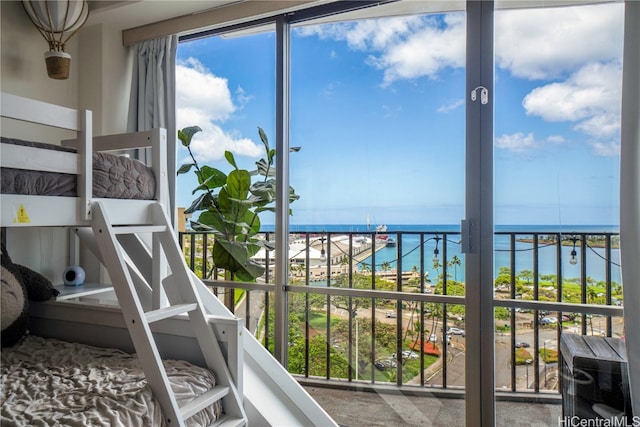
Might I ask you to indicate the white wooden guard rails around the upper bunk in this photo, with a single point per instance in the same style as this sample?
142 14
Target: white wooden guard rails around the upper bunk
22 210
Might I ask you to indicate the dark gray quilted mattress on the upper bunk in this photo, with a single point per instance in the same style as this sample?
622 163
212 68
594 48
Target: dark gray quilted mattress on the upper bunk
116 177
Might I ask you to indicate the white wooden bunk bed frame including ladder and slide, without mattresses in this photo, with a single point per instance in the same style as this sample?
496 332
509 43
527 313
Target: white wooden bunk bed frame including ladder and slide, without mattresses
260 390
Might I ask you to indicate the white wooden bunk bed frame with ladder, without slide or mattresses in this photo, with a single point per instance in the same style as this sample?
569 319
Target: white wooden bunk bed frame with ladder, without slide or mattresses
145 309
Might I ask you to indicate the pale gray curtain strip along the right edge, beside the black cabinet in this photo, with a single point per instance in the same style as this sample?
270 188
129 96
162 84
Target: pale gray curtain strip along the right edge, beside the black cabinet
630 195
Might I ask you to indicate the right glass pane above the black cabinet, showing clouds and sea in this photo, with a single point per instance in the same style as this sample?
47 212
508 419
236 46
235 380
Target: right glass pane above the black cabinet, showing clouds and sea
557 145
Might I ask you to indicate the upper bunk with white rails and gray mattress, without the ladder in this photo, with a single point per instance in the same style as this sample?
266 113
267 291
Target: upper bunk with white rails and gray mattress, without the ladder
73 207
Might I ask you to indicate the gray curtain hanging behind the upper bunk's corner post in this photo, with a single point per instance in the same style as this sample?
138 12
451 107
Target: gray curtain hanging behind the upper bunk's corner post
153 97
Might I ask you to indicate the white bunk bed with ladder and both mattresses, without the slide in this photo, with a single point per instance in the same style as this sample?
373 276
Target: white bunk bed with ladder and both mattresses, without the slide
94 321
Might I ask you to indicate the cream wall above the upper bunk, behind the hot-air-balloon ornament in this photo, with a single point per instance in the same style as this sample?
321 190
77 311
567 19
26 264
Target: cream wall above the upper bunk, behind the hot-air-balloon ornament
99 79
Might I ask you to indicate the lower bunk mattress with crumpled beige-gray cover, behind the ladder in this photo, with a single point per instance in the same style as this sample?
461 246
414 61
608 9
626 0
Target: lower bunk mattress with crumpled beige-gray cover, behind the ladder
47 382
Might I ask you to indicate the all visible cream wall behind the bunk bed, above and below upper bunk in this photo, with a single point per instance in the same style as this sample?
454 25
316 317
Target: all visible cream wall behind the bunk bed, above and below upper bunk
98 81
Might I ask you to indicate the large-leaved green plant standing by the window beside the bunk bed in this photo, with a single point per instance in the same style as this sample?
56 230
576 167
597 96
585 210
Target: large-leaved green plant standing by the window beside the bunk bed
229 205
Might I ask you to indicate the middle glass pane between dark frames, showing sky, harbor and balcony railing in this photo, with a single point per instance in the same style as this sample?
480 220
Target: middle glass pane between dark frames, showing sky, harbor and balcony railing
378 109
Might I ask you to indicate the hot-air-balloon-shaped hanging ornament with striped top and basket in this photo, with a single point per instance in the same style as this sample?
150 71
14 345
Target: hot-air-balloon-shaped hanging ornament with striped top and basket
57 21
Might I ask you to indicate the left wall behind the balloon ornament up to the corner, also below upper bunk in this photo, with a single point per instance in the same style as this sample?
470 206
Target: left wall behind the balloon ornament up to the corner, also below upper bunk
23 73
